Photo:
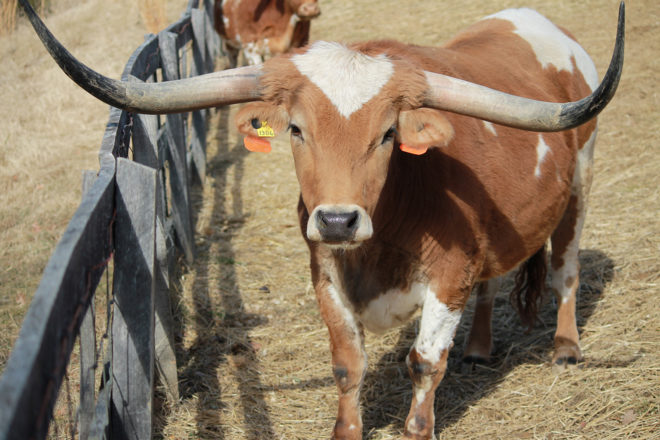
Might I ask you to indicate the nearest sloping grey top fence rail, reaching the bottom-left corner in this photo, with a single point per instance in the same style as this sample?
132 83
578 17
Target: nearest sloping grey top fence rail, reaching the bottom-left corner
33 375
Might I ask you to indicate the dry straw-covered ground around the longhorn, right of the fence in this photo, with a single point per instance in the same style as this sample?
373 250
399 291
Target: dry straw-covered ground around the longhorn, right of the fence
255 362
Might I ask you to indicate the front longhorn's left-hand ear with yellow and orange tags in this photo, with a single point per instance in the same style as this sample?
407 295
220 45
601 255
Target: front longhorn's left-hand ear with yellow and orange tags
260 121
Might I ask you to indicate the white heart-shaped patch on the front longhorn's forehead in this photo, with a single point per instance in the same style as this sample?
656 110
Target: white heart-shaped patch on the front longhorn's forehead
348 78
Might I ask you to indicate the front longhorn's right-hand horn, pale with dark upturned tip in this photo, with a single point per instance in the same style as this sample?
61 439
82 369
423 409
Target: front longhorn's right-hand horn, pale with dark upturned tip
458 96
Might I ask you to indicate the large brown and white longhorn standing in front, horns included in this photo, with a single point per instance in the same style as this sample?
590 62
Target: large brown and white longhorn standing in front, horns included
419 180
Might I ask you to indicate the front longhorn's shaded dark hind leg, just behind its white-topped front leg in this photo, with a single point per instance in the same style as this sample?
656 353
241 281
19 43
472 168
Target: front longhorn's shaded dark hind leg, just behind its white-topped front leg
480 342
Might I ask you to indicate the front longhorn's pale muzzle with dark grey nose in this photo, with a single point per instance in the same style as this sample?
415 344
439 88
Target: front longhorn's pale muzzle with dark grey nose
339 225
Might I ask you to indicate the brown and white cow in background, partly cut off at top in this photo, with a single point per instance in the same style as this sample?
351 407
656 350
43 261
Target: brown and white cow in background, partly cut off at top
263 28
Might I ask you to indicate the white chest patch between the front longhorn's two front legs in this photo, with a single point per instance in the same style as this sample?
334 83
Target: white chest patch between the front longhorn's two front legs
393 308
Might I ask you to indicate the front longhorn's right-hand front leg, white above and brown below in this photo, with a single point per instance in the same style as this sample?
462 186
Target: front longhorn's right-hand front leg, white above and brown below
427 362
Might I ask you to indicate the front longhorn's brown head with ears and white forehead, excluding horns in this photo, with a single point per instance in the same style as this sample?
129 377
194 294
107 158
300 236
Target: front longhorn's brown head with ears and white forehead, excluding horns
343 128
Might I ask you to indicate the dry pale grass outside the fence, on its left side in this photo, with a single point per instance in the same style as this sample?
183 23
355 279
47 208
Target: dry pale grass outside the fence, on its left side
51 130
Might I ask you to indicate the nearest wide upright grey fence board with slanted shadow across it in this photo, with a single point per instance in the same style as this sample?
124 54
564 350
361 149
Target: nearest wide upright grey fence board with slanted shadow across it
134 288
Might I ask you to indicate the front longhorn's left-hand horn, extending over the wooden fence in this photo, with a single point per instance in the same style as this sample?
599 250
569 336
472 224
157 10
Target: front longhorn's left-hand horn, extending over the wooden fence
213 89
